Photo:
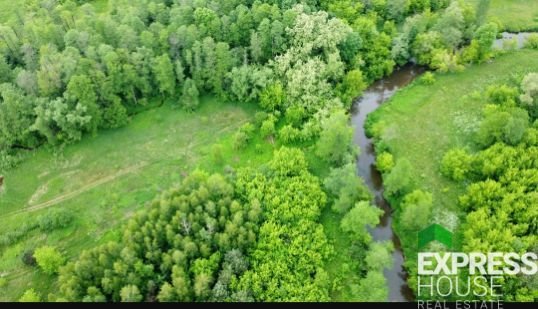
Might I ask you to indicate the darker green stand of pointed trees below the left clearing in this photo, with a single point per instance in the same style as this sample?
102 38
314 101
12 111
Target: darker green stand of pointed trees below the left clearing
187 246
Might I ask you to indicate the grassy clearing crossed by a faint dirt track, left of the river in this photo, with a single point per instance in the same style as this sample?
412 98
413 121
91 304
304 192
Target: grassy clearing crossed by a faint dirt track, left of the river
104 179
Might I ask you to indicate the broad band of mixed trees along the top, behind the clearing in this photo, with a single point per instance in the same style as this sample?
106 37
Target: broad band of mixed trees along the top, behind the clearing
68 71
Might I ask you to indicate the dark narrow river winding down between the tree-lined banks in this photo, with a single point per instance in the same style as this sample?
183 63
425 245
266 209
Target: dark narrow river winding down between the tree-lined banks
372 98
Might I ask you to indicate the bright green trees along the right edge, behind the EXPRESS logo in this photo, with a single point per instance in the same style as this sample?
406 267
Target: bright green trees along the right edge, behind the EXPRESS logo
502 180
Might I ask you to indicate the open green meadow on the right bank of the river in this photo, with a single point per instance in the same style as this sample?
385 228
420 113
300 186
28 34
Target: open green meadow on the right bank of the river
422 122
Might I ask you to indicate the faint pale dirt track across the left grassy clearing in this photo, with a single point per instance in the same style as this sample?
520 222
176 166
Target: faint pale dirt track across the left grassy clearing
85 188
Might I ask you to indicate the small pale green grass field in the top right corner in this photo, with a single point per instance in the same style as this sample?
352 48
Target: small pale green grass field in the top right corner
513 15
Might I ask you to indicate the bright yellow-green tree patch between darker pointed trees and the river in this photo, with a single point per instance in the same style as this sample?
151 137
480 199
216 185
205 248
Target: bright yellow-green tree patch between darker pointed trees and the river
292 247
